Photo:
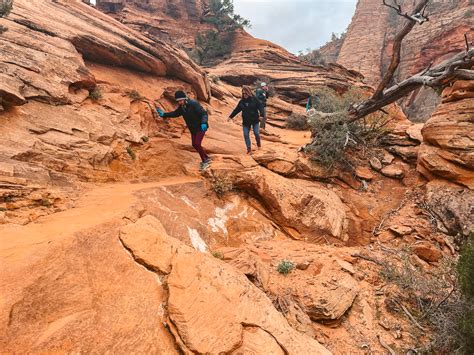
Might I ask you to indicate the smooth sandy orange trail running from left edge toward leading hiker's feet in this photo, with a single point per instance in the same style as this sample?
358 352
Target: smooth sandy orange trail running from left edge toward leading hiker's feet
23 244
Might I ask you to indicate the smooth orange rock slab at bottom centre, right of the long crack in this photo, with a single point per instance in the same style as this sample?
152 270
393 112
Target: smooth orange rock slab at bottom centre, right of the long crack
237 306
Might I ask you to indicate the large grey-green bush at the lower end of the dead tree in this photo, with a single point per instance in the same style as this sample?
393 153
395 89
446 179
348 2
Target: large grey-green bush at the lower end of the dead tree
333 135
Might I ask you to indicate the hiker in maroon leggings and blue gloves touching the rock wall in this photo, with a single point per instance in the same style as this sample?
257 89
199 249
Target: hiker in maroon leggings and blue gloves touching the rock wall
196 119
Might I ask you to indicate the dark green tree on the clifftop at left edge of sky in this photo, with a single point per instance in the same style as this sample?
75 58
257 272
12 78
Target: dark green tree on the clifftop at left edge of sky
217 42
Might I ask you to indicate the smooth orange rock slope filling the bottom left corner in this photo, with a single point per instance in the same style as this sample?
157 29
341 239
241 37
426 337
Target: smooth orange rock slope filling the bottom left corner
81 294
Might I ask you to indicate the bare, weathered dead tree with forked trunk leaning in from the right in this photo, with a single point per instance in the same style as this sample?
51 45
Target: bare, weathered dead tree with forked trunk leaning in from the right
456 68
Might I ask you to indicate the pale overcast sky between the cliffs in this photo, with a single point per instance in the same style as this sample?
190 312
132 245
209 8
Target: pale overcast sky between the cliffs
296 24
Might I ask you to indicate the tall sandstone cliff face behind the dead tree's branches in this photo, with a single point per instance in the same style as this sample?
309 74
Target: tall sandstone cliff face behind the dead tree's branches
367 46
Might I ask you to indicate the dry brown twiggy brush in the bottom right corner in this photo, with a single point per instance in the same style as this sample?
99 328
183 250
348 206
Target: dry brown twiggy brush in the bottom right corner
439 299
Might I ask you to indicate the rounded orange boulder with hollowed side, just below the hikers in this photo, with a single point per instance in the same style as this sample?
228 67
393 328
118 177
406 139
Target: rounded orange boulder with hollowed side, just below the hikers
313 211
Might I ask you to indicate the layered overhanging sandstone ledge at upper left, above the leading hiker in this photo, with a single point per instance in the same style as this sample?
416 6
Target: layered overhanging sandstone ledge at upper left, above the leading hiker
47 43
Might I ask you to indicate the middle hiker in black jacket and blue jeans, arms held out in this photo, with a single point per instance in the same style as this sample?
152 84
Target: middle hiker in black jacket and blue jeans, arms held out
251 109
